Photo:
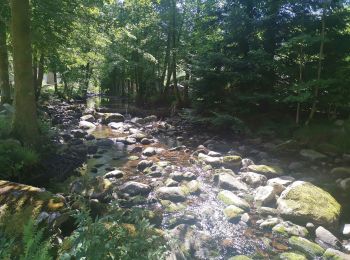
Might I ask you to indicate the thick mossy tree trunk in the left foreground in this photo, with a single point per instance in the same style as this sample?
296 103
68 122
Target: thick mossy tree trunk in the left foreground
25 125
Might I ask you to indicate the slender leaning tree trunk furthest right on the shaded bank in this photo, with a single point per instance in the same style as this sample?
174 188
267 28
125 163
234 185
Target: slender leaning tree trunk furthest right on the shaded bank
319 69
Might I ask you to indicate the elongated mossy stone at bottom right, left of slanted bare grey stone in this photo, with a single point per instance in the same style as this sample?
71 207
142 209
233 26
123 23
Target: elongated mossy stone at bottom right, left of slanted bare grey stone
309 248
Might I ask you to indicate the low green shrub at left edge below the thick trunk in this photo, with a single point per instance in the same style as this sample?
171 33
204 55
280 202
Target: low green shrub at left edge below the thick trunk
14 158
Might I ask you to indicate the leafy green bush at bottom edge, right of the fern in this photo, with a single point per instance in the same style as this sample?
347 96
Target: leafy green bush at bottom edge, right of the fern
118 235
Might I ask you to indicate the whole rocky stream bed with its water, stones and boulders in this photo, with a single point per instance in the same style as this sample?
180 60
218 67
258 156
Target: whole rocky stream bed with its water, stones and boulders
215 197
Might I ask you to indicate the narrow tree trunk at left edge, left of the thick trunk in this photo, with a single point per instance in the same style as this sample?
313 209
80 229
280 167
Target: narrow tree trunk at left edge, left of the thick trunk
4 66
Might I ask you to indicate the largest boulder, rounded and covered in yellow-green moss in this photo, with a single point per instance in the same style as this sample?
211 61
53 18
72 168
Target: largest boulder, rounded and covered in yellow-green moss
304 202
